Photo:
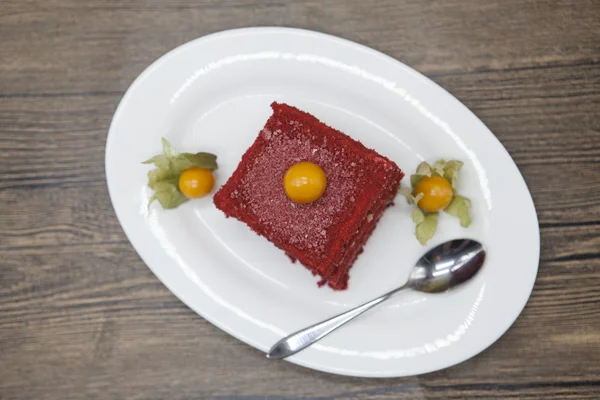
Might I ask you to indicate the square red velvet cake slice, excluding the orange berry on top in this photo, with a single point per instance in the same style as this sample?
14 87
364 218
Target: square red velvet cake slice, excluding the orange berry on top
328 234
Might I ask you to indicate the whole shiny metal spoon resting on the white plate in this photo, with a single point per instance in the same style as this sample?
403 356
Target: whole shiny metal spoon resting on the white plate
440 269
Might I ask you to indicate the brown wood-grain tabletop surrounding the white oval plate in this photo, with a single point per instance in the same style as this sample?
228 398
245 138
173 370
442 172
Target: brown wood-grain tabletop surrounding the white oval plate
82 317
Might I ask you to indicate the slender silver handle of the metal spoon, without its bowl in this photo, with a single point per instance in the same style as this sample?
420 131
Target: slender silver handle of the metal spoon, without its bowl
307 336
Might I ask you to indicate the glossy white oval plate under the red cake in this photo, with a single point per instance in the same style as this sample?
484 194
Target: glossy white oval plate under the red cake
213 94
